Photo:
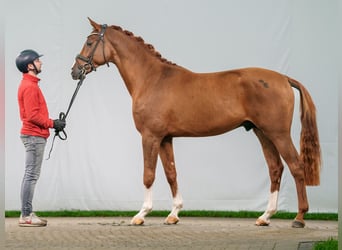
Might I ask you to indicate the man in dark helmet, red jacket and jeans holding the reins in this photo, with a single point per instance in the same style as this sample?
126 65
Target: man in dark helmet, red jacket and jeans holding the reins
34 131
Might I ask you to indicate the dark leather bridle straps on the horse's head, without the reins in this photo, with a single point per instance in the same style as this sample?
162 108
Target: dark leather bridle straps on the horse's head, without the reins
89 60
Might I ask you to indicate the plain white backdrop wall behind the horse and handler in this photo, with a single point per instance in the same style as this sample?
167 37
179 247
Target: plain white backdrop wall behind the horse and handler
100 165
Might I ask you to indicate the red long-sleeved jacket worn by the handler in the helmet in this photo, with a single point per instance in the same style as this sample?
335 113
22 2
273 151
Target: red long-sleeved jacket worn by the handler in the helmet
33 109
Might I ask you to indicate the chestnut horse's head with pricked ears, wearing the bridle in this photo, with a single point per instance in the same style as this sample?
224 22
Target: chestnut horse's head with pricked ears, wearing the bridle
93 53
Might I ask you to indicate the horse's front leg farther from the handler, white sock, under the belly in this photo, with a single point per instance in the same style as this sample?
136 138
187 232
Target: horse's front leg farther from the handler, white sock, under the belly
167 158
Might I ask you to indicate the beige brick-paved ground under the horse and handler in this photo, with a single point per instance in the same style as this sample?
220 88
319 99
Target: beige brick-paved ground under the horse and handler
189 233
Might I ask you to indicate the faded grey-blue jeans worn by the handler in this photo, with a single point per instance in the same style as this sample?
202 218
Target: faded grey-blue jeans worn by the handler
34 147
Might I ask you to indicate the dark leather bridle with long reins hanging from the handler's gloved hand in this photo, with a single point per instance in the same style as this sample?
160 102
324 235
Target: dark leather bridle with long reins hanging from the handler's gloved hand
84 69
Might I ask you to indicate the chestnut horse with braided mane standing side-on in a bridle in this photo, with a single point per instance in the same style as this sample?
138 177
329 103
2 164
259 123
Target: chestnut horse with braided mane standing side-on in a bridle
171 101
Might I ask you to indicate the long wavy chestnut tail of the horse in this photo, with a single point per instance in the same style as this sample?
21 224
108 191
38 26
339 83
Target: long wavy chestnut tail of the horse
310 151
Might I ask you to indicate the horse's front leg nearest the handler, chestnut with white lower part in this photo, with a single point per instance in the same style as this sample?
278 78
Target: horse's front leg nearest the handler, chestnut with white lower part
150 151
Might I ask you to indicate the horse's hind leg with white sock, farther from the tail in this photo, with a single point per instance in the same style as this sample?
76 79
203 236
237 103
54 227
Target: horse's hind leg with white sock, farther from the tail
275 171
